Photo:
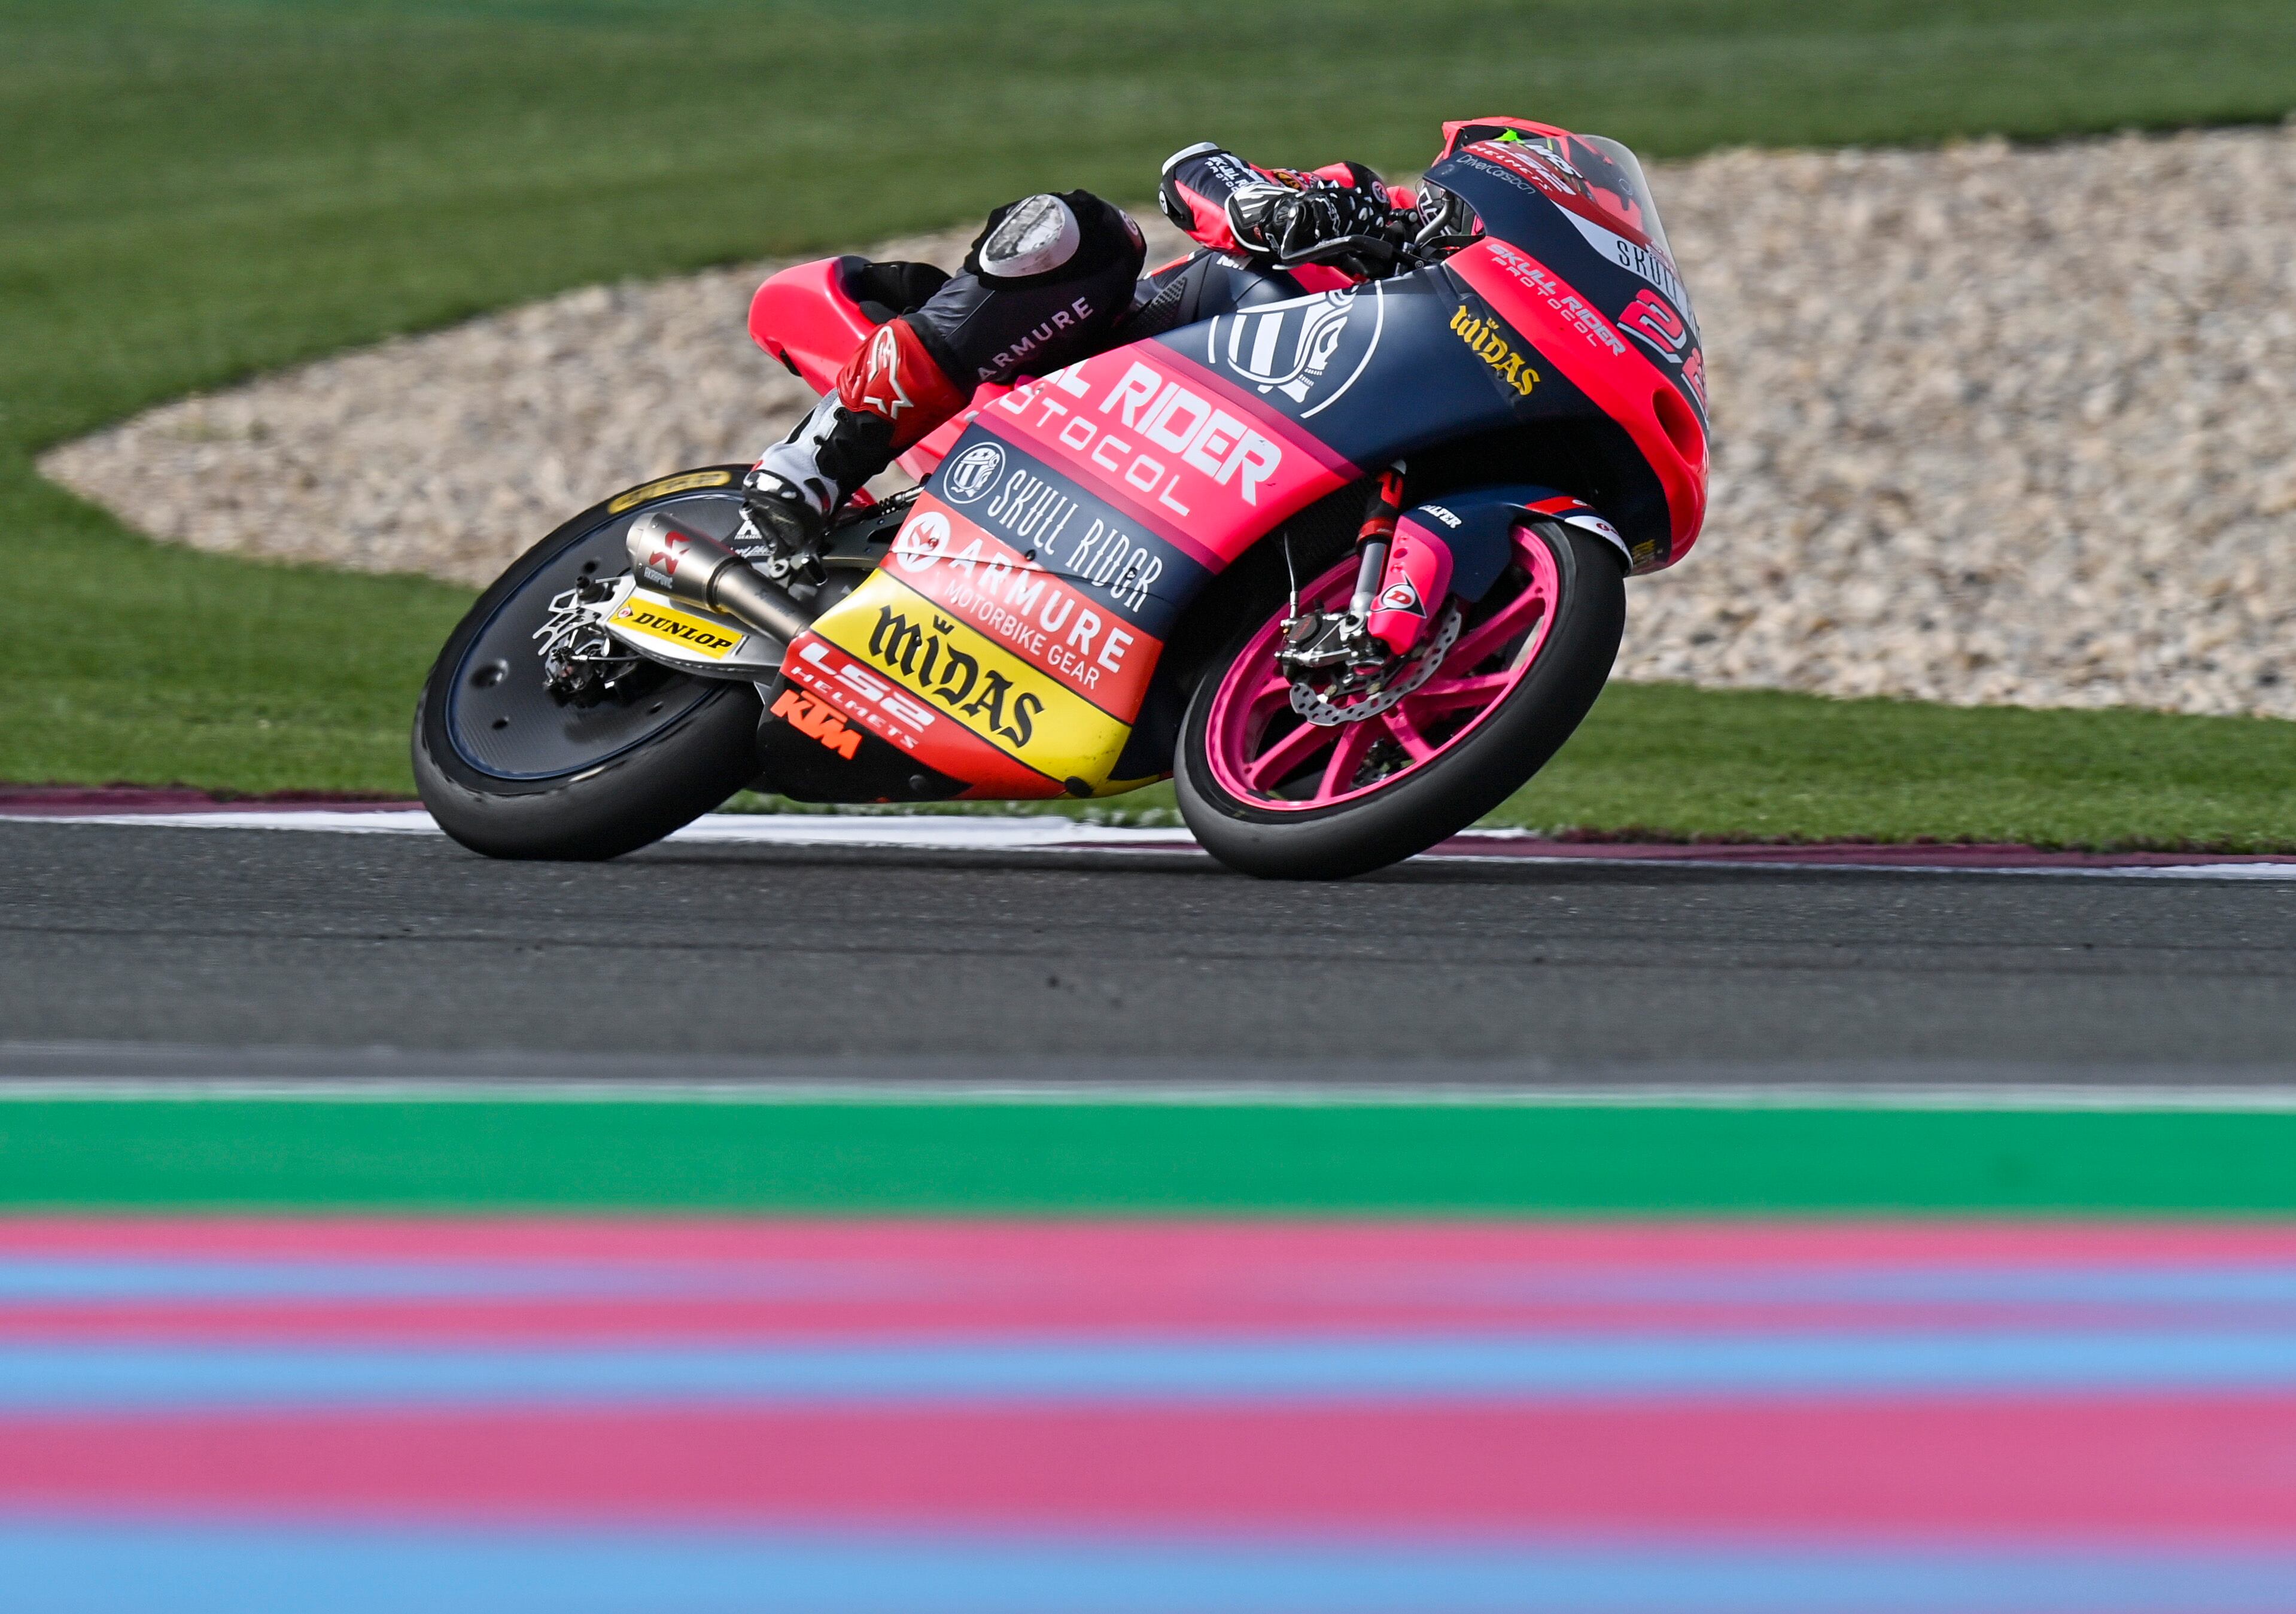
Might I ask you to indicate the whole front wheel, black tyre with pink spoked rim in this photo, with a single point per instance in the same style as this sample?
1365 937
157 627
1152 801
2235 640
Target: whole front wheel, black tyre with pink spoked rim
1271 796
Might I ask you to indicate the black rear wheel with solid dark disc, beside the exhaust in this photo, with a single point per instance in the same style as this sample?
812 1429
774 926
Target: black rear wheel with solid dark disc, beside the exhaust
511 773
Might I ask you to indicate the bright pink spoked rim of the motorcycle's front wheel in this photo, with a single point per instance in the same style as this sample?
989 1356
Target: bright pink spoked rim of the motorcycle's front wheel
1269 756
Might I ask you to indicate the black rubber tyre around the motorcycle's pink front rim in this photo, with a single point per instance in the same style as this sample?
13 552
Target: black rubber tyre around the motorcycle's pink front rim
1443 796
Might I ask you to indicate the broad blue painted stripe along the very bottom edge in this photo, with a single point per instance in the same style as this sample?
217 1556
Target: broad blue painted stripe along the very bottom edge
162 1569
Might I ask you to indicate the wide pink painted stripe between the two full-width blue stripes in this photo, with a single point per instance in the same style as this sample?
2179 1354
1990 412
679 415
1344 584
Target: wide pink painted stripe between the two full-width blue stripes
2187 1468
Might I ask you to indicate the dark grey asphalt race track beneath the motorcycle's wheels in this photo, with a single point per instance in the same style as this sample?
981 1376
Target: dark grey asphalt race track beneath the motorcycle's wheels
408 956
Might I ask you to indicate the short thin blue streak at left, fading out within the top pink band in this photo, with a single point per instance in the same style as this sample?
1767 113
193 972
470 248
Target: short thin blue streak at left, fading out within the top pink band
40 1280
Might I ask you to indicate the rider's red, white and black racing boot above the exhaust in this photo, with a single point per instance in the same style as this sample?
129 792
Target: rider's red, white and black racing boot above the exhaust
890 396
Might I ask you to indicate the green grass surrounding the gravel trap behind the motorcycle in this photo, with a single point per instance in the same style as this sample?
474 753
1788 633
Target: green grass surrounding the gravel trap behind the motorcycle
201 192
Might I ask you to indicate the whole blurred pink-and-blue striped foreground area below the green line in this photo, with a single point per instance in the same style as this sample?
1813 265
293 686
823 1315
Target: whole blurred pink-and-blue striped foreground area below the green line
456 1413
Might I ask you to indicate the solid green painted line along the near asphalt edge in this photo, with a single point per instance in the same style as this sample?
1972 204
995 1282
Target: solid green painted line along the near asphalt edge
1133 1158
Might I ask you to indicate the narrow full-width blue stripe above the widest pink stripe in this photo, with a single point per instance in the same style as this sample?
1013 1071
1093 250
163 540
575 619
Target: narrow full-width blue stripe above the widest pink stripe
104 1376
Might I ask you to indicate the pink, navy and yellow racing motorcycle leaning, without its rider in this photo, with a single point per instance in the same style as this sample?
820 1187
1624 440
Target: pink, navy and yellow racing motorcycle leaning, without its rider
1347 564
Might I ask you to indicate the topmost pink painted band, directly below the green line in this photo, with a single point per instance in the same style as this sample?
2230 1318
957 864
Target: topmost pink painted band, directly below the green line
885 1280
